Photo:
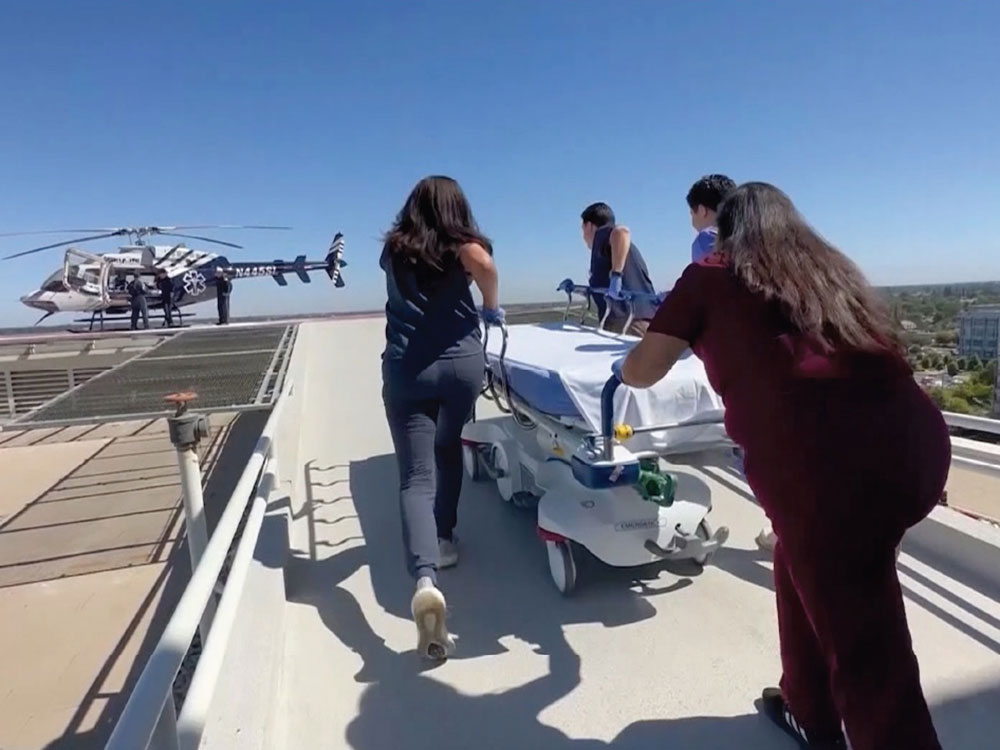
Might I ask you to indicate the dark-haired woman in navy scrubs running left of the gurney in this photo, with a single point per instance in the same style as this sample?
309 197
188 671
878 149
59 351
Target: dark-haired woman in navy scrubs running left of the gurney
432 373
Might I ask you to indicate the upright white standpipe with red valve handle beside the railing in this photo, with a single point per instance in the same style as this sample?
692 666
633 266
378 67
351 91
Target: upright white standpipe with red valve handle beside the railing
186 432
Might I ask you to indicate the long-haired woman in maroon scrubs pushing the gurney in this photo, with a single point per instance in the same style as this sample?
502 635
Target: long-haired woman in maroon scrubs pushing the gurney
842 449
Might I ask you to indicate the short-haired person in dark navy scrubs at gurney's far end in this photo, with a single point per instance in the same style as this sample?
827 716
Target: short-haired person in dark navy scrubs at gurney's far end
616 265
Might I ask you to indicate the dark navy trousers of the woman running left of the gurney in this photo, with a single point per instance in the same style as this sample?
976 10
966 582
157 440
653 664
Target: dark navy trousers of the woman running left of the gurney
426 412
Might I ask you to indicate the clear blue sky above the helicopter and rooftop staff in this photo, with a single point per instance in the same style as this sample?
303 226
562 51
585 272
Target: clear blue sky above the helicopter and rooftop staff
879 119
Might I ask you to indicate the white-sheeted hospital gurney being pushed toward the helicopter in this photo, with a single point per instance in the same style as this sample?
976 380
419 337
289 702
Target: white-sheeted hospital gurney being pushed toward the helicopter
605 463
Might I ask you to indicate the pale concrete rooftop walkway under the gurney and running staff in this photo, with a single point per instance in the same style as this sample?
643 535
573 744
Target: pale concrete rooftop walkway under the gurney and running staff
669 658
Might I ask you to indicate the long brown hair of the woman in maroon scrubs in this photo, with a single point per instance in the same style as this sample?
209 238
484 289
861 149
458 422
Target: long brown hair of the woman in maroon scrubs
773 251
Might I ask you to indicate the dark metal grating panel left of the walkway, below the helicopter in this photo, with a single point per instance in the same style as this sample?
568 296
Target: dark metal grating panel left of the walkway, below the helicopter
230 370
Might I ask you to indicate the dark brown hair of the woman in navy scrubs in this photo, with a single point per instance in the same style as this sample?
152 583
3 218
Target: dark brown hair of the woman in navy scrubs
434 223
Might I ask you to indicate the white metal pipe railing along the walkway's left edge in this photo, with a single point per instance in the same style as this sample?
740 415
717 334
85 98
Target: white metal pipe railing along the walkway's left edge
149 719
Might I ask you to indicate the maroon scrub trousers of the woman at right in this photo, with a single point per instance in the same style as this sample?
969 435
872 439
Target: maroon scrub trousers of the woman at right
840 500
